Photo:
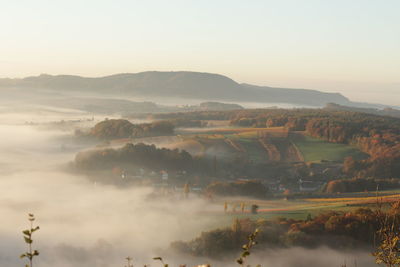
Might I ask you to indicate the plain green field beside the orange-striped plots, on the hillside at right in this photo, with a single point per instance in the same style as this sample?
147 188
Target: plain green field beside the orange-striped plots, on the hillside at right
314 149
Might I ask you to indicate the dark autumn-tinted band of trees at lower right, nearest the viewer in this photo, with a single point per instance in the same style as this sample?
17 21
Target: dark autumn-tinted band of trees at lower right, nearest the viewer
355 229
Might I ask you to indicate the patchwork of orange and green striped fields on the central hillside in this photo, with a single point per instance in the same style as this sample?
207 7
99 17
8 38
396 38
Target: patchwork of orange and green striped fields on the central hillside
258 145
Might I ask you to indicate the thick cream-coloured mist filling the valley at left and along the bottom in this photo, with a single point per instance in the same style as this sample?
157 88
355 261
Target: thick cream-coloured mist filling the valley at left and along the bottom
87 224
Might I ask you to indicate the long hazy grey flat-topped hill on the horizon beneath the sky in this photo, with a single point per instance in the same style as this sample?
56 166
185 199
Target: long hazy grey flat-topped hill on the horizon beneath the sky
190 85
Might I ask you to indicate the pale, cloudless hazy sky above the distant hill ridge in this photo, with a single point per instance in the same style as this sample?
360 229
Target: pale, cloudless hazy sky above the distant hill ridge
351 47
